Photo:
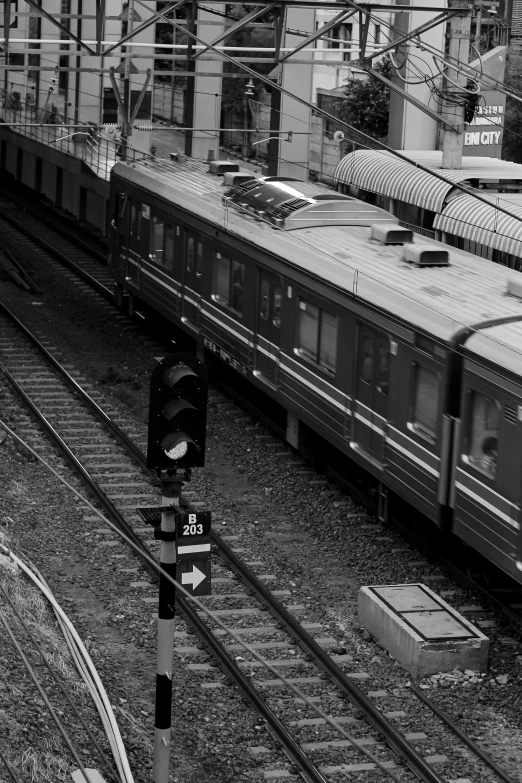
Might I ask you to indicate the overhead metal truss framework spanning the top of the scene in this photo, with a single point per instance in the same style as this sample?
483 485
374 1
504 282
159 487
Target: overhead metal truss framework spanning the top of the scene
215 50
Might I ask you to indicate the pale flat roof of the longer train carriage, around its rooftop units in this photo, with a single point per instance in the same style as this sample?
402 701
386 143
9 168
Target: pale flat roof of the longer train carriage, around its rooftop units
437 300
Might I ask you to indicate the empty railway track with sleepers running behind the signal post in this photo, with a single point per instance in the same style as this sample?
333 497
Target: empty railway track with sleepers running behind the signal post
95 443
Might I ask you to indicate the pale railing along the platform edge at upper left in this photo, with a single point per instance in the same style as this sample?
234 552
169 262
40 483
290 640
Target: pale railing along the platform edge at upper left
98 147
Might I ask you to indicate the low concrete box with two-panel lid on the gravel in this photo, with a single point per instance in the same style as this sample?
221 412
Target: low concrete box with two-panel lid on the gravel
420 630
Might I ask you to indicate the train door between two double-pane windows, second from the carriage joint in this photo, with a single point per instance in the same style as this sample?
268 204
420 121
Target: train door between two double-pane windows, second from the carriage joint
268 327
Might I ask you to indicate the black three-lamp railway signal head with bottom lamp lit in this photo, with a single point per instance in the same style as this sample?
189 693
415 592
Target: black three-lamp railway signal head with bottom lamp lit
177 413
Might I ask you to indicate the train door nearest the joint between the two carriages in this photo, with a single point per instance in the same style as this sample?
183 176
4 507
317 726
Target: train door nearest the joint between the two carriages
371 397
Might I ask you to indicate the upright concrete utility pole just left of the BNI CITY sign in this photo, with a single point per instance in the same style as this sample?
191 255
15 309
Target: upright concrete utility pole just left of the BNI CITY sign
453 140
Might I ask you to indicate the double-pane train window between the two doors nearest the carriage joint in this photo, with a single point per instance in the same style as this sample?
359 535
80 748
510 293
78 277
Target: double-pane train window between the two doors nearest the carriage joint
317 335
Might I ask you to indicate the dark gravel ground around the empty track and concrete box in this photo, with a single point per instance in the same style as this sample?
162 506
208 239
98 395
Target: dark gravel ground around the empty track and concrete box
321 552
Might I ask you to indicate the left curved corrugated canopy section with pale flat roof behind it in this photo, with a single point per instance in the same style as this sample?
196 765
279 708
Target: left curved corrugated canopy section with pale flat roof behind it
382 172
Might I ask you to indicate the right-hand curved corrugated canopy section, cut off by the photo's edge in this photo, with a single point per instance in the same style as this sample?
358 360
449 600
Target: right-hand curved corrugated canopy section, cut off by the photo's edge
469 218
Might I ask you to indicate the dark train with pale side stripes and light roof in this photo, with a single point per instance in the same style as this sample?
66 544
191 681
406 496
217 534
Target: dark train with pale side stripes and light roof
401 352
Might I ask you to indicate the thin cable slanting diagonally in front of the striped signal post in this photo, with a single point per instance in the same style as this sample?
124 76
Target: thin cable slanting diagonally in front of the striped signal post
208 612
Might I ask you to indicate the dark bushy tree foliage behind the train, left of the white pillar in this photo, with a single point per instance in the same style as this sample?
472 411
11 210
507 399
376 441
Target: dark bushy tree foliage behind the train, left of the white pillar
367 103
